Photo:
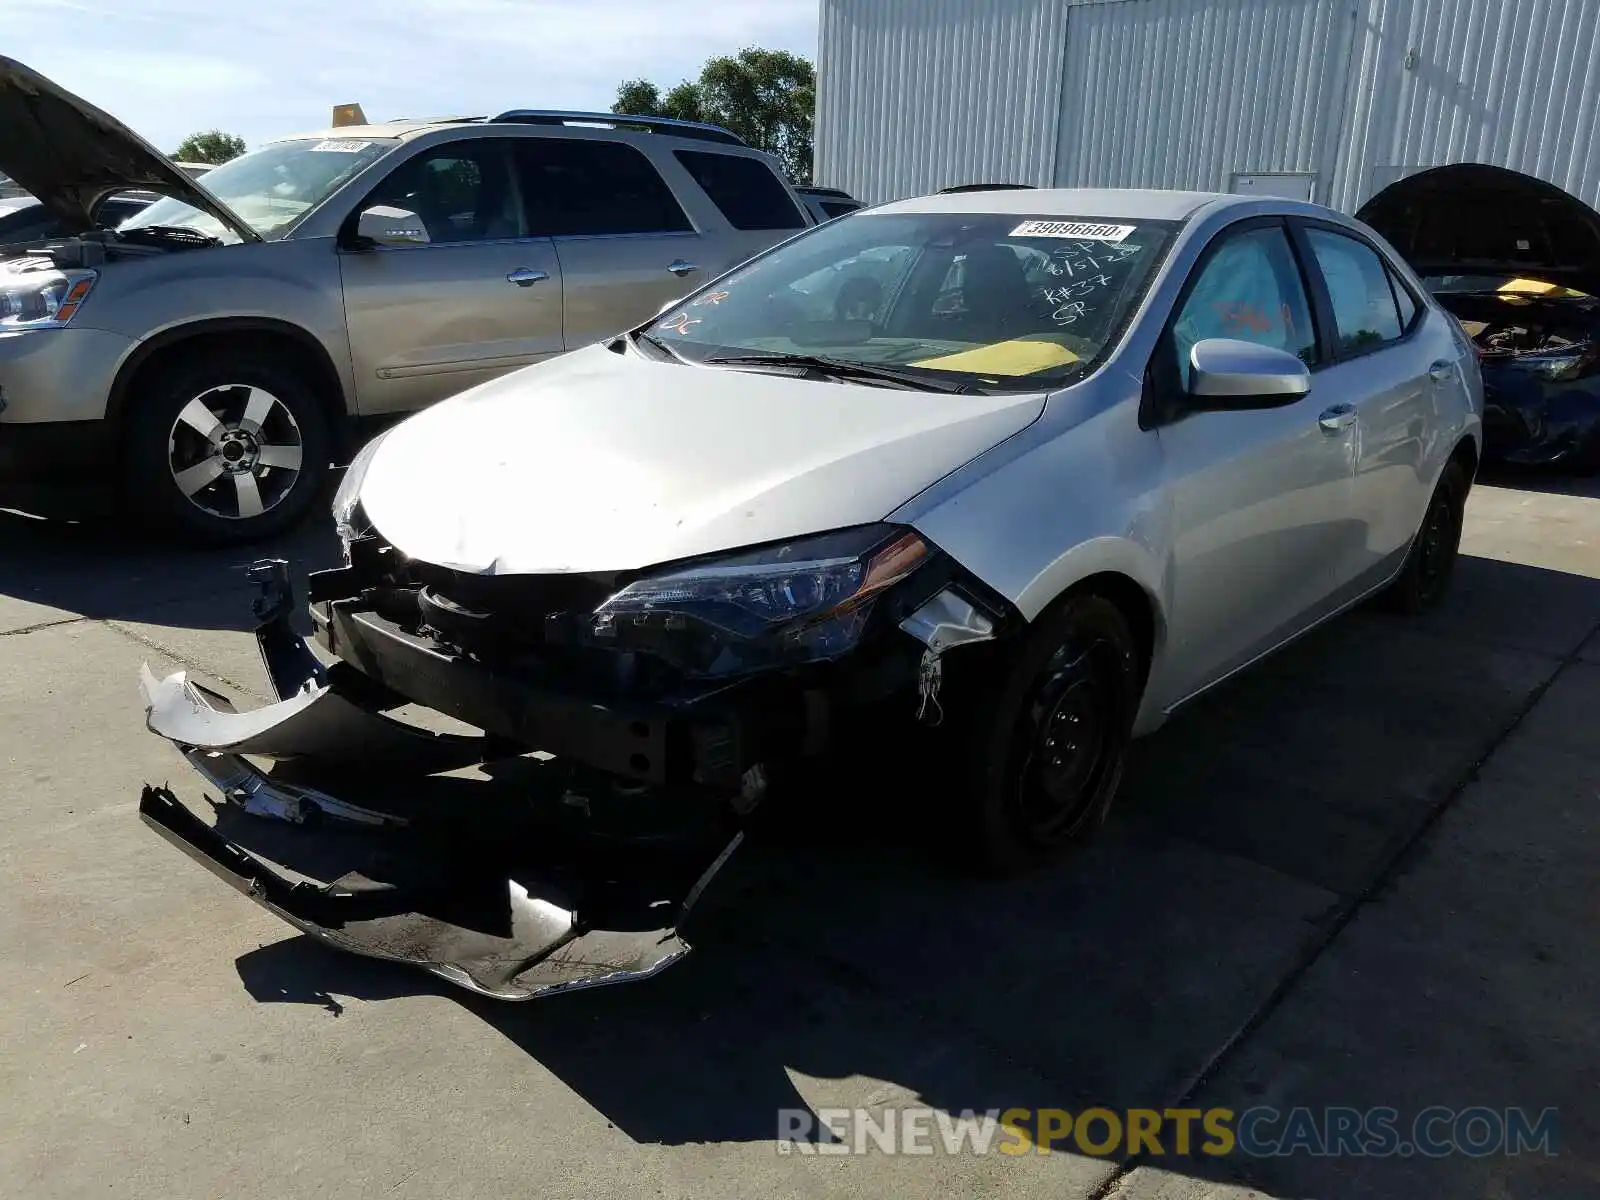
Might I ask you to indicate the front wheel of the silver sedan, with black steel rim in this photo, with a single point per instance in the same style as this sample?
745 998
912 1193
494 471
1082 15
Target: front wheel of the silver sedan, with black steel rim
1073 694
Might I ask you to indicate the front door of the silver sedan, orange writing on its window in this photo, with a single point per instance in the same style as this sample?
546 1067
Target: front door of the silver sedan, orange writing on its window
1260 500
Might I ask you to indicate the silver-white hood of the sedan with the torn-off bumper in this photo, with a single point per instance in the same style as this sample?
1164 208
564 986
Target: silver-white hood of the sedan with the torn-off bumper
602 462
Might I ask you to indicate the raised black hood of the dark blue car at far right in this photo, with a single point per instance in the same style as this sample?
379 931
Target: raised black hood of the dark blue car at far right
1479 220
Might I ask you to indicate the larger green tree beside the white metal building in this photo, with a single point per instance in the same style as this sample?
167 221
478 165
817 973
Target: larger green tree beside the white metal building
767 97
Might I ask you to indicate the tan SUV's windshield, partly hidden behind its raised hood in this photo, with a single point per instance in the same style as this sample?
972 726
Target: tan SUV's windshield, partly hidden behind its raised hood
270 188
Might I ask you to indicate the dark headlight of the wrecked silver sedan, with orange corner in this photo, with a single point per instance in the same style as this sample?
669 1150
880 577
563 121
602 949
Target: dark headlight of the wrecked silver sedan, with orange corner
782 606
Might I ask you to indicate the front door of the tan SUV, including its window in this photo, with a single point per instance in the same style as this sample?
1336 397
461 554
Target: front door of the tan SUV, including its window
481 300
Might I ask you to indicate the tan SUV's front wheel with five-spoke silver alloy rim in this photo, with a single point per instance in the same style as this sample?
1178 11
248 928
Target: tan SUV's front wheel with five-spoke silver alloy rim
226 449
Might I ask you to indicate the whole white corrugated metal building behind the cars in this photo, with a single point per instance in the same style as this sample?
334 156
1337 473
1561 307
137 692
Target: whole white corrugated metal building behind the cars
1326 100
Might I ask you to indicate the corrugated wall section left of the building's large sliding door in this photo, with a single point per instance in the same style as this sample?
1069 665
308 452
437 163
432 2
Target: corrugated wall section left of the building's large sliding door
918 95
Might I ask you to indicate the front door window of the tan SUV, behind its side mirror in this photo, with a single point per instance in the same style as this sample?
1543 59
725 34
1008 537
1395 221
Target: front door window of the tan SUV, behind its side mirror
462 191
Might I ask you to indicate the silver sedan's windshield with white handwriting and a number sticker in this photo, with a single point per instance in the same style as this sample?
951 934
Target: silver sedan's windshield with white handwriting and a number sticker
1009 302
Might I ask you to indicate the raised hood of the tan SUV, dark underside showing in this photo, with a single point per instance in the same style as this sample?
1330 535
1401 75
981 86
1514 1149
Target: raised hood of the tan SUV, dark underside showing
70 154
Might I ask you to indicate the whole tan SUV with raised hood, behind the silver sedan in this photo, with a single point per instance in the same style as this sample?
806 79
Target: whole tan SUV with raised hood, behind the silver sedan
212 354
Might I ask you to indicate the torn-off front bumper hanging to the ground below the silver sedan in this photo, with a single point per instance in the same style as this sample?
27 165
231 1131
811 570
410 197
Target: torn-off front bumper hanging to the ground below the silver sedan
522 881
